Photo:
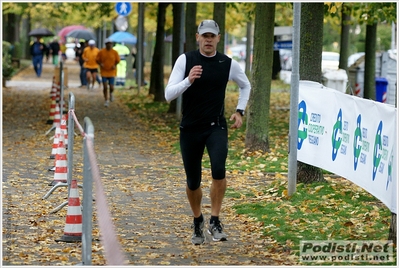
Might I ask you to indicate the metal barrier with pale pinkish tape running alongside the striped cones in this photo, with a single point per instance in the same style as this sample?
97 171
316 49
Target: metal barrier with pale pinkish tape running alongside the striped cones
112 248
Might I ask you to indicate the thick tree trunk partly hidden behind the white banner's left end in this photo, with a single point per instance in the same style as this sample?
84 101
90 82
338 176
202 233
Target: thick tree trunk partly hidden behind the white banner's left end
311 47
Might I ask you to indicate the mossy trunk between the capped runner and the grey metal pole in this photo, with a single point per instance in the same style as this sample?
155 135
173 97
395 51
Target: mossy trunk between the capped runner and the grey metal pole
257 136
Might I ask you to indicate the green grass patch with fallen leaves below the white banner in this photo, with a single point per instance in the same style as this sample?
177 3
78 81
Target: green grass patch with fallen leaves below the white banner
317 211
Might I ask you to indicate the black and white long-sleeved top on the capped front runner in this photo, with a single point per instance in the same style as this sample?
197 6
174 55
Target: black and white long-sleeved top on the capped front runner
203 100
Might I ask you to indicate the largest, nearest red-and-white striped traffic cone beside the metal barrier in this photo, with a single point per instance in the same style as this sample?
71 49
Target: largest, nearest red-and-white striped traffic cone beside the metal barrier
73 225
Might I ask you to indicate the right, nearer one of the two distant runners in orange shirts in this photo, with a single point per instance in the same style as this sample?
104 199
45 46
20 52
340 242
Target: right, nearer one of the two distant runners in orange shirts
108 58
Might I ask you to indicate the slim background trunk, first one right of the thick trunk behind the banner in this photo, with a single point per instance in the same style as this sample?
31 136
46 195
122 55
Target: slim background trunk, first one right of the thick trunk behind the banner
345 27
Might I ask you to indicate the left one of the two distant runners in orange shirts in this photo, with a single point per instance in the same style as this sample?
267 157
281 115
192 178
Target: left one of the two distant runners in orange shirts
90 64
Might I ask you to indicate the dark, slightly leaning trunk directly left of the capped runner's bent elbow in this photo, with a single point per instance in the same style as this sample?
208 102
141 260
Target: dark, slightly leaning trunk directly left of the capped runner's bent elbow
157 87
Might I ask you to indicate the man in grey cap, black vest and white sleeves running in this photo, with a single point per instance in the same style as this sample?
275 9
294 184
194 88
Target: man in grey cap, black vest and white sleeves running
201 78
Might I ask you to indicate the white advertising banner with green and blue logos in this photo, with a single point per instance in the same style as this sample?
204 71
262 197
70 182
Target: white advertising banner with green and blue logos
351 137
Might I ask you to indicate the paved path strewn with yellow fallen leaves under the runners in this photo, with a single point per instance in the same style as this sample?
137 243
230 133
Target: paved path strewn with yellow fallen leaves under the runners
143 180
